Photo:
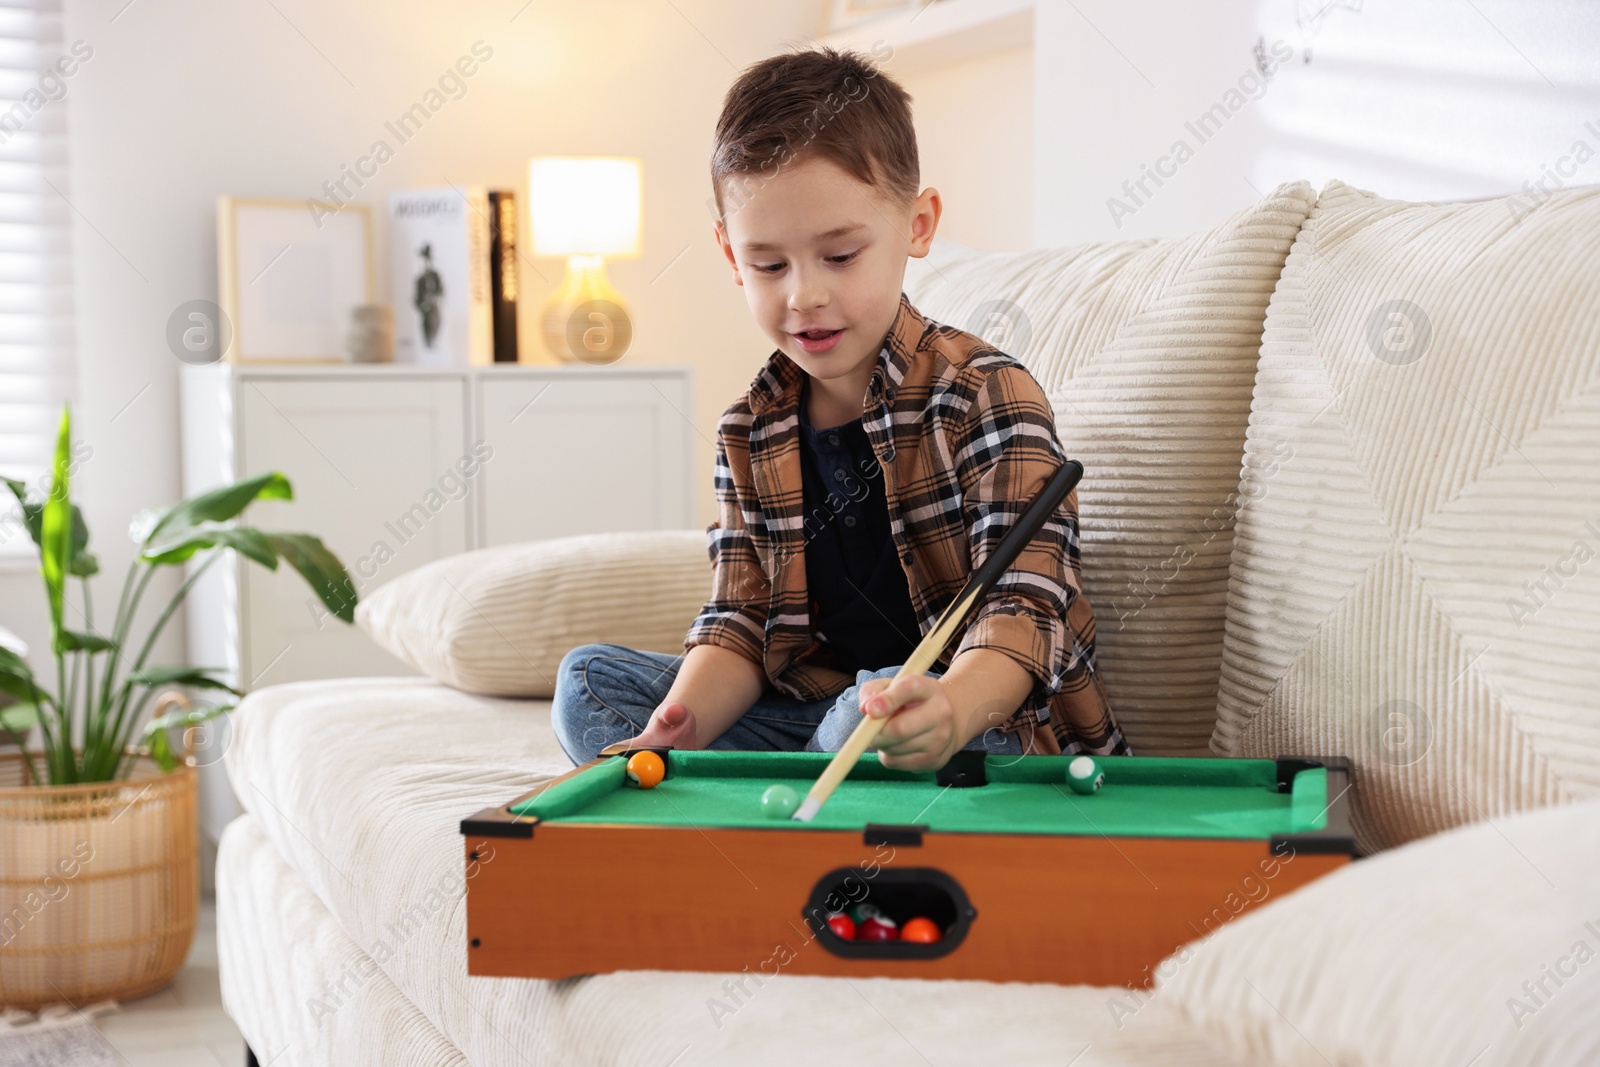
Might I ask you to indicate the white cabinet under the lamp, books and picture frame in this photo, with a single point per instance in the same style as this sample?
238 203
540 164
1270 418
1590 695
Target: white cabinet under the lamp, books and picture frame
398 466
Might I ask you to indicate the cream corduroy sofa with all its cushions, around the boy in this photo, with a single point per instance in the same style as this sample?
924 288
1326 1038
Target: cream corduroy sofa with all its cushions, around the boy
1343 498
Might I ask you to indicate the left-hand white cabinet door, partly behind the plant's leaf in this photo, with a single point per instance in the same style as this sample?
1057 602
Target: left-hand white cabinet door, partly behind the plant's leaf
375 474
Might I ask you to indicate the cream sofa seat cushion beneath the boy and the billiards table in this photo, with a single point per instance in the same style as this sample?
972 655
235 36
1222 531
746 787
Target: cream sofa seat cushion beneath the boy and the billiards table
359 786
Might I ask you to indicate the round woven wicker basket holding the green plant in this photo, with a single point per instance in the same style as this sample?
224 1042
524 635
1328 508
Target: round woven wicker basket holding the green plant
100 884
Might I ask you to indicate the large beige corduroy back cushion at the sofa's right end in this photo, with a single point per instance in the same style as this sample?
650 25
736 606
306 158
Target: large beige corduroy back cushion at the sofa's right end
1417 575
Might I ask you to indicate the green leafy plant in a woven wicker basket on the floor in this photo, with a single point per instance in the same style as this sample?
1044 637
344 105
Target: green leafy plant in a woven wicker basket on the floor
100 868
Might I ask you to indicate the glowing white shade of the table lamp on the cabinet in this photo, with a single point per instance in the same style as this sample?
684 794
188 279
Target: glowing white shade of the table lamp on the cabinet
585 206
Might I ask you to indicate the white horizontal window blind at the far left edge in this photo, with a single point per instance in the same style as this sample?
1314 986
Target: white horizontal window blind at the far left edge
36 255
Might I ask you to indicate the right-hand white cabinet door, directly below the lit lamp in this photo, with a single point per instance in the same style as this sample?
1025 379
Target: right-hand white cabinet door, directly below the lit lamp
585 454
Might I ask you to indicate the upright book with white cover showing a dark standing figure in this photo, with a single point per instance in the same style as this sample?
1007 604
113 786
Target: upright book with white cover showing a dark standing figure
439 252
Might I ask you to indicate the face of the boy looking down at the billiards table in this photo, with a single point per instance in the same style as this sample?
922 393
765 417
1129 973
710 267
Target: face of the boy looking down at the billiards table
818 250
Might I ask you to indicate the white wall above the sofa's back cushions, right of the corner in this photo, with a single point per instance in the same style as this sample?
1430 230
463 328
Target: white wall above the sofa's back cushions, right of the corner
1420 100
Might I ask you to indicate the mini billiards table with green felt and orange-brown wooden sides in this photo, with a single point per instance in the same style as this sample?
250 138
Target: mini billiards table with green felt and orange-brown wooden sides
1022 877
